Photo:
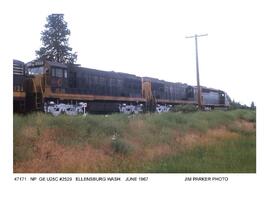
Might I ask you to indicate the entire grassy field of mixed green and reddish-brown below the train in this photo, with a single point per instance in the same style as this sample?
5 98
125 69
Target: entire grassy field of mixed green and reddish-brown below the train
137 136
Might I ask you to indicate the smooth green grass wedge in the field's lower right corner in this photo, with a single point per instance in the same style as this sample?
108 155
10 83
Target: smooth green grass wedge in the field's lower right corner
228 156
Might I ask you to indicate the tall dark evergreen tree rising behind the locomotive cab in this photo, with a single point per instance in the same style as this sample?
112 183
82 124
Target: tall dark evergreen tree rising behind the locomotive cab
55 41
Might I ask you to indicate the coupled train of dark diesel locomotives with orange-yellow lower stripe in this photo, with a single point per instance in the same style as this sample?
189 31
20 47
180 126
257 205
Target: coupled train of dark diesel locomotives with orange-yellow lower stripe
59 88
